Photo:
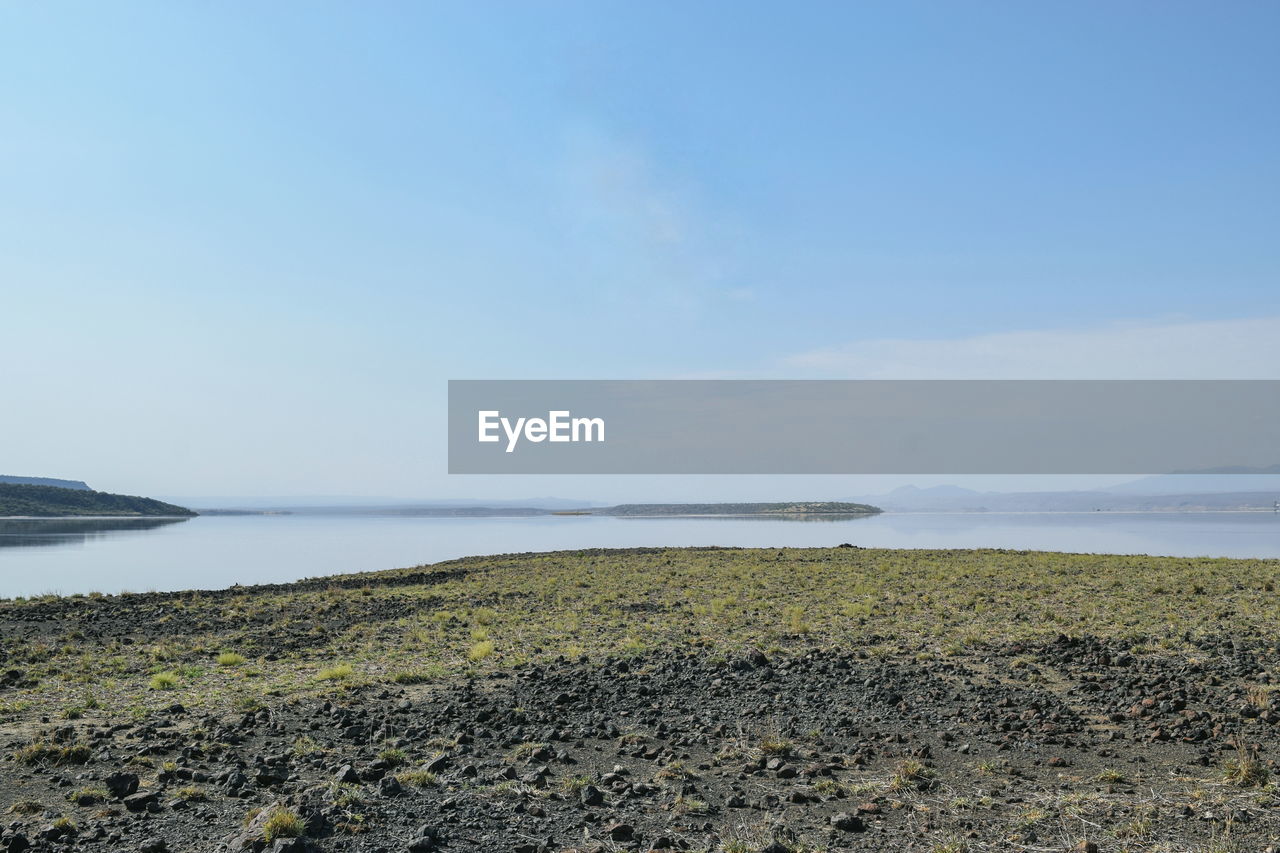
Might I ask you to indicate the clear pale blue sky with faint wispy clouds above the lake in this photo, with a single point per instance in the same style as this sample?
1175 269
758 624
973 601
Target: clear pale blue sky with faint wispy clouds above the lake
245 247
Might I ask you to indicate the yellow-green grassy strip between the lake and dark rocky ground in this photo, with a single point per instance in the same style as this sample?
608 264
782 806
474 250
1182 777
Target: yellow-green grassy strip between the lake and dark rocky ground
138 651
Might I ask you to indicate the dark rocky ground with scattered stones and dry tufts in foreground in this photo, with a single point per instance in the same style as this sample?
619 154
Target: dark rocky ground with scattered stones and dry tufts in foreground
1073 743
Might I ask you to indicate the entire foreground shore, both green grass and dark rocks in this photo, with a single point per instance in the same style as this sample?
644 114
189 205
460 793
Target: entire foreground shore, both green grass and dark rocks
738 701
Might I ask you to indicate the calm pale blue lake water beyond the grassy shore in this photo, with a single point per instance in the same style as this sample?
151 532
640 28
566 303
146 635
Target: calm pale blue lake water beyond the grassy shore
70 556
